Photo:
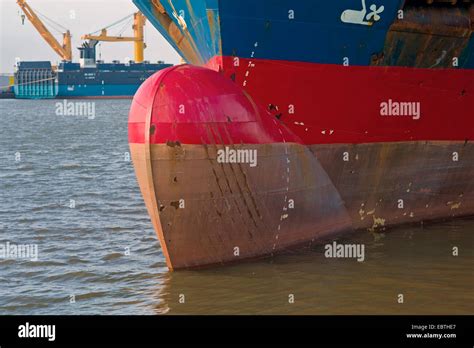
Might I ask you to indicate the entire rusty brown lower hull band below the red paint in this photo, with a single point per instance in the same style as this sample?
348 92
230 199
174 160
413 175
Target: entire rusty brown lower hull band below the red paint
211 226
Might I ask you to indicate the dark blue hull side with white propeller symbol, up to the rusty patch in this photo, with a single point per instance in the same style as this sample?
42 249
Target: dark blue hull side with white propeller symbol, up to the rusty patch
315 34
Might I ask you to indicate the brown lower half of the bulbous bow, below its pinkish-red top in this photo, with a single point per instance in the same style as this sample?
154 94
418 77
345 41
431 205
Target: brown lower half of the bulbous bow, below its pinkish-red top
205 231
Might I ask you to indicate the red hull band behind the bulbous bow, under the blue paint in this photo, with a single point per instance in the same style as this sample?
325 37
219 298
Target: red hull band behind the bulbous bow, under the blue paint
346 99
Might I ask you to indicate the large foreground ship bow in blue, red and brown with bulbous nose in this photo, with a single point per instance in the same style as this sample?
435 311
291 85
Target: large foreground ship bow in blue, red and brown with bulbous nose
300 120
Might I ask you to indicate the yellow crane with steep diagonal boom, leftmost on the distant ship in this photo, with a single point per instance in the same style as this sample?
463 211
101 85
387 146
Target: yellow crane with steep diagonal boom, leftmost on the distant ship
64 50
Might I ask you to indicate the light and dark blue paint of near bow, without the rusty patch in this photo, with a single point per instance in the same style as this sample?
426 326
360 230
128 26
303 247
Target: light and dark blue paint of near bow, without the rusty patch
303 30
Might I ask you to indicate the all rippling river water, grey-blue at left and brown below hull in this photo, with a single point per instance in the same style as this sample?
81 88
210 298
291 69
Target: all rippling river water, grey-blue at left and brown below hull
83 248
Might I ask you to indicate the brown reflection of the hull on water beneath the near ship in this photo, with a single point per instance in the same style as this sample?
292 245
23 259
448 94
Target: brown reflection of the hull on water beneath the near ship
320 285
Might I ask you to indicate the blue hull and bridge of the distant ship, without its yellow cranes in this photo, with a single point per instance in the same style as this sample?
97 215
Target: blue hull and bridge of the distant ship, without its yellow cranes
87 79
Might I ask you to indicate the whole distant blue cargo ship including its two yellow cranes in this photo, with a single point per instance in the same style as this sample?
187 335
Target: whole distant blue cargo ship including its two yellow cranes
90 78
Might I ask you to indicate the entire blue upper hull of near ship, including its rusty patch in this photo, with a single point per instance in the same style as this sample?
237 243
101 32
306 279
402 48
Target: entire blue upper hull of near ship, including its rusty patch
349 32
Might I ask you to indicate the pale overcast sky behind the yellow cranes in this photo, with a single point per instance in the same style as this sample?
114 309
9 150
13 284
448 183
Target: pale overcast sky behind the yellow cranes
80 17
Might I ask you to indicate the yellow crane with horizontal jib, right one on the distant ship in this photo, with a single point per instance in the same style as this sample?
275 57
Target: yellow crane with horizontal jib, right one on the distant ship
137 38
